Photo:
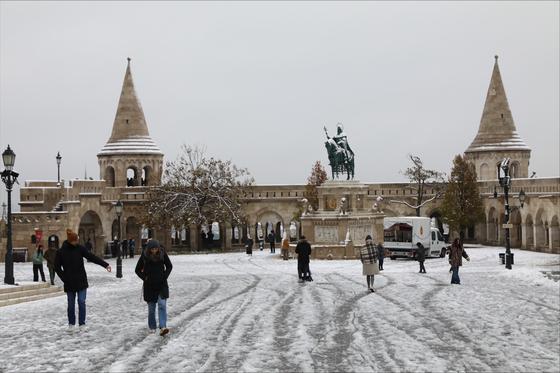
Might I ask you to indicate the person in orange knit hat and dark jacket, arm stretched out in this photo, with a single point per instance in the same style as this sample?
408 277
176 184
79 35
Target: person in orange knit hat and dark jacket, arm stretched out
69 266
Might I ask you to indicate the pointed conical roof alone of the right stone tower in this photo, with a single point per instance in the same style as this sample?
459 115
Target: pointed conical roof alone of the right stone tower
497 130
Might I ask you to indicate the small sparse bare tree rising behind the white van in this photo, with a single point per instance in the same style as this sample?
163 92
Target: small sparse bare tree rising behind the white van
422 179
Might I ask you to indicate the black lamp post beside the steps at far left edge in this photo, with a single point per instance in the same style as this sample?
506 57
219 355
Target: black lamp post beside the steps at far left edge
9 177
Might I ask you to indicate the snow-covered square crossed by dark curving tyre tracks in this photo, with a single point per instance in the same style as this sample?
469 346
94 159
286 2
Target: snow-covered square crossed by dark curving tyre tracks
230 312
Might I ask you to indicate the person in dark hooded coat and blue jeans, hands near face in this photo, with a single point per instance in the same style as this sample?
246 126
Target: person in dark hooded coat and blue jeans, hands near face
154 268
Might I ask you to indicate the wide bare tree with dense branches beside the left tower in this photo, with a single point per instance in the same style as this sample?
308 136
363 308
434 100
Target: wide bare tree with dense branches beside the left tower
199 190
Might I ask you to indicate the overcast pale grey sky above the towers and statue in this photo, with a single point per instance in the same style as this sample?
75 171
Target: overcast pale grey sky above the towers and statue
256 81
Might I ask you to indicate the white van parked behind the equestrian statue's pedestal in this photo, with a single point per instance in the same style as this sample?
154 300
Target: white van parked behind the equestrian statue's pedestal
403 232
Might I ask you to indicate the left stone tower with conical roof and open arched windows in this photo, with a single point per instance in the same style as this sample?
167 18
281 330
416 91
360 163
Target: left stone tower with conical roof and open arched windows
130 157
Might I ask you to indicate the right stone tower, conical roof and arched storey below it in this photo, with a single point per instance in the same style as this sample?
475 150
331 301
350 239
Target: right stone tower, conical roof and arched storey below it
497 137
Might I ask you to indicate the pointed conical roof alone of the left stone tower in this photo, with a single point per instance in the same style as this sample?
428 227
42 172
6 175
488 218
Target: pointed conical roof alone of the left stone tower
130 133
